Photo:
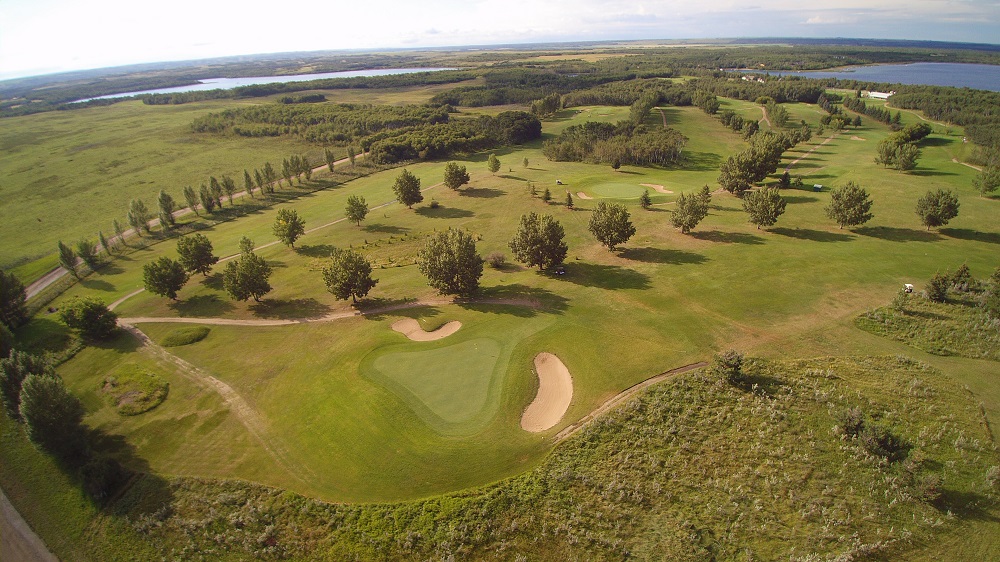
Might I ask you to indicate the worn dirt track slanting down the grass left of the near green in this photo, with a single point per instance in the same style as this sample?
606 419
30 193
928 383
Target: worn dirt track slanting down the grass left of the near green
244 412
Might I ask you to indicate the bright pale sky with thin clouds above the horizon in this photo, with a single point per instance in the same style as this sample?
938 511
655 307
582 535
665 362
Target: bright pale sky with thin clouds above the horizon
42 36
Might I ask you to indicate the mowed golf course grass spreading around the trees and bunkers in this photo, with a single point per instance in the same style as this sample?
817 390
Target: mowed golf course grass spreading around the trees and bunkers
614 319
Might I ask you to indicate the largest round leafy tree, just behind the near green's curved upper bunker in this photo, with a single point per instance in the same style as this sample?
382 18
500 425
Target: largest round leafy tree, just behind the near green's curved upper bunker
450 263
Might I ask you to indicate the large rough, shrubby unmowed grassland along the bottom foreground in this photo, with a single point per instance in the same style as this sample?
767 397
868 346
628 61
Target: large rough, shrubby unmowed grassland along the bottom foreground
689 470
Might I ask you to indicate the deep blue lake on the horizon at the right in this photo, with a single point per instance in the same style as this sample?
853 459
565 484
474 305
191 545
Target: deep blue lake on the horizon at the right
959 75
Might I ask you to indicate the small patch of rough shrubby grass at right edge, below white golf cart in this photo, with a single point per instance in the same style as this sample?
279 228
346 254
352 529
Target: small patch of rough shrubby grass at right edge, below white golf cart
957 327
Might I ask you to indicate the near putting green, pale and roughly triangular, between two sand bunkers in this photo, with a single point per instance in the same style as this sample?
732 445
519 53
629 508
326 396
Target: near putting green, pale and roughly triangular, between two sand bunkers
450 384
